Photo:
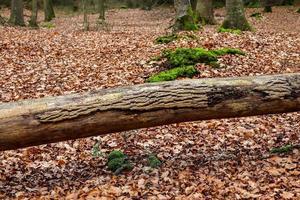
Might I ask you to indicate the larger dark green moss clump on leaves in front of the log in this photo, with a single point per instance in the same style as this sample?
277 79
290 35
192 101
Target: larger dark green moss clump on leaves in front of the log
118 162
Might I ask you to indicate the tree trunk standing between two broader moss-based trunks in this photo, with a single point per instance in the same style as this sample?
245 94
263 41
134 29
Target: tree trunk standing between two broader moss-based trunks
205 11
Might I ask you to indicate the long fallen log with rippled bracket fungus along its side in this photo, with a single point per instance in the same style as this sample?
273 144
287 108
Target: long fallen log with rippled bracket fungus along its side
41 121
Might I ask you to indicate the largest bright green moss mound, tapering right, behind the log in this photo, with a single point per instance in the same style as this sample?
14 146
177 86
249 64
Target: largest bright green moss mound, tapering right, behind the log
191 56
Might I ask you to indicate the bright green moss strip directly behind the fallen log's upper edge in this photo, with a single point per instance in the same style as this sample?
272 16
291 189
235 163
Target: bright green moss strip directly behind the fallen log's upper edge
172 74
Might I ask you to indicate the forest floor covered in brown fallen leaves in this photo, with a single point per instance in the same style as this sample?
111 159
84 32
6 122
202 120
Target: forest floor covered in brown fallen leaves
214 159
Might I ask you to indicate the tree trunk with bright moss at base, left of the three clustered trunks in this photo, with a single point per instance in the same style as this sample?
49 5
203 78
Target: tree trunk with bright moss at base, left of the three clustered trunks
185 17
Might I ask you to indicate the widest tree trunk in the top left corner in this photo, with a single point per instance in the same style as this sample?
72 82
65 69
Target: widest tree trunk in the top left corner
16 13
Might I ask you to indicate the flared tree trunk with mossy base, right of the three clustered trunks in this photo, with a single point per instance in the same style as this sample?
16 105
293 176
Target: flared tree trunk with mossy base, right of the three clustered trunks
235 16
